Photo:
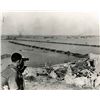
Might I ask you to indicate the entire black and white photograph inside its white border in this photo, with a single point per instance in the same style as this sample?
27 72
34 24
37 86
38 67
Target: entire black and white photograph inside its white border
50 51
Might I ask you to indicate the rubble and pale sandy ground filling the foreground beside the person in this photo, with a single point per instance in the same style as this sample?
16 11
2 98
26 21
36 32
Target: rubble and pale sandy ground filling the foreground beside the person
80 74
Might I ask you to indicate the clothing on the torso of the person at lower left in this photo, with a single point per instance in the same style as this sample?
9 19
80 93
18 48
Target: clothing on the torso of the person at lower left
12 77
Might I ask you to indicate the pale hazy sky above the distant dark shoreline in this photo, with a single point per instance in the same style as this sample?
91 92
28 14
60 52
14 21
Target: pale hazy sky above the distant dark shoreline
50 23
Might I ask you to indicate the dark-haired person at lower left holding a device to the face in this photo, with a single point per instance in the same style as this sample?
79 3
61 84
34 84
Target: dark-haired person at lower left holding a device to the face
12 75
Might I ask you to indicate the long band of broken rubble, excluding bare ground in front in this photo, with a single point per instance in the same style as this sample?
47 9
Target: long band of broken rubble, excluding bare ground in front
79 73
